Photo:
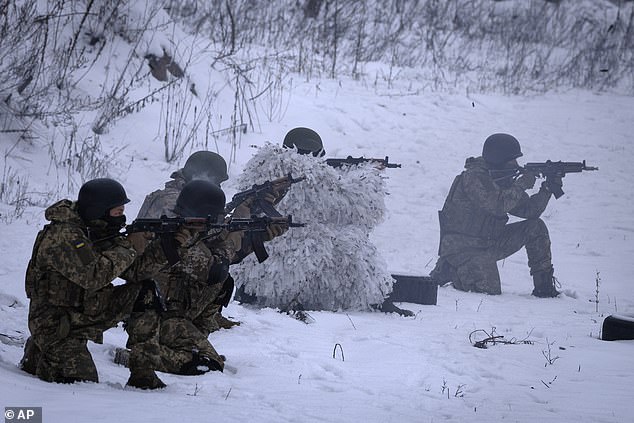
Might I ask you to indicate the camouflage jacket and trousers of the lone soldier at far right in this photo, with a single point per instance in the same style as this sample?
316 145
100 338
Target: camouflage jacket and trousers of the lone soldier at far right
474 233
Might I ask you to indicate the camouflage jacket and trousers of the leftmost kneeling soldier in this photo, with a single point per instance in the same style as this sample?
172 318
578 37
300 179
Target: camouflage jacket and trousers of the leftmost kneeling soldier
68 281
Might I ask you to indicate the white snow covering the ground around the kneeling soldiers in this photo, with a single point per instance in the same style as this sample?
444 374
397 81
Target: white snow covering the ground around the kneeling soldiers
374 367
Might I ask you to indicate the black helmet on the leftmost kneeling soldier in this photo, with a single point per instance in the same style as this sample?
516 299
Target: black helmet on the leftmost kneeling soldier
98 196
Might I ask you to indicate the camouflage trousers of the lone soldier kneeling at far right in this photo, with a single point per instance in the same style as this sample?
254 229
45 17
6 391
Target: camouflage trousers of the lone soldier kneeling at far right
476 269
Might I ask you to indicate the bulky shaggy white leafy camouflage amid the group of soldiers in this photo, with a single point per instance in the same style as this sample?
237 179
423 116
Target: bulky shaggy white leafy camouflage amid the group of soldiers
330 264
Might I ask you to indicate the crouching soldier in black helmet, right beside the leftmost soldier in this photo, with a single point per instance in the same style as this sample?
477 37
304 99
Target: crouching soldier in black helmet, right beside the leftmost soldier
191 288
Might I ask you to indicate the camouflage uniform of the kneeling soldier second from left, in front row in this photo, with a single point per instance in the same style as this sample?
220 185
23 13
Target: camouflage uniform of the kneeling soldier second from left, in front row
191 290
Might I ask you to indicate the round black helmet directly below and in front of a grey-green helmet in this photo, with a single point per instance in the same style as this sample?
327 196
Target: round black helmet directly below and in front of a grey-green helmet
200 198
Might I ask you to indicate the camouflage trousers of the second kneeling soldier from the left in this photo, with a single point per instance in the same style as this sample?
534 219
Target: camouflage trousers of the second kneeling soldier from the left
181 342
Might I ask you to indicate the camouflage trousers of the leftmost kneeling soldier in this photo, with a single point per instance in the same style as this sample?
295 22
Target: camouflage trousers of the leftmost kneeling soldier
57 349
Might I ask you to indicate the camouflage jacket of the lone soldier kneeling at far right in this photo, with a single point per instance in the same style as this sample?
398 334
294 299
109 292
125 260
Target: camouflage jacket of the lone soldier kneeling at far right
477 208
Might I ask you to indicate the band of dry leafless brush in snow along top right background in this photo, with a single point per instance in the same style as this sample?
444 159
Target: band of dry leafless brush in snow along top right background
483 45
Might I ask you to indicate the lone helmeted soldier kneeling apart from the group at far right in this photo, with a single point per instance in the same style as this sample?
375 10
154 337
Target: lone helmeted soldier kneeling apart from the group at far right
474 228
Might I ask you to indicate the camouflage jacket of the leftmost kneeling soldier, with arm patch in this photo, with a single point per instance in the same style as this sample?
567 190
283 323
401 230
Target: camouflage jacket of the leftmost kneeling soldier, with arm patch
68 268
